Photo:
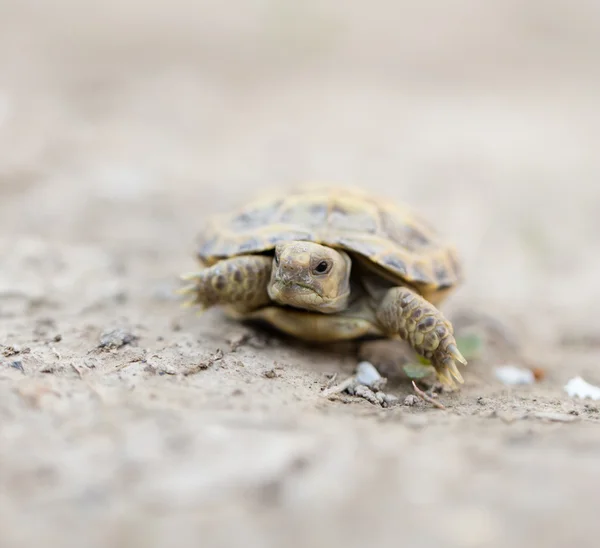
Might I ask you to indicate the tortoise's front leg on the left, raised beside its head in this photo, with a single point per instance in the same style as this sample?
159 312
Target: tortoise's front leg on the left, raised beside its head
240 281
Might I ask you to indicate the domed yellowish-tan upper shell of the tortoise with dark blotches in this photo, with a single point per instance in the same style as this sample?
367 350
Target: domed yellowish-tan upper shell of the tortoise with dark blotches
389 235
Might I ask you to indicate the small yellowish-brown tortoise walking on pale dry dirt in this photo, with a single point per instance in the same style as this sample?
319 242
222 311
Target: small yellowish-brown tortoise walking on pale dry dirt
331 264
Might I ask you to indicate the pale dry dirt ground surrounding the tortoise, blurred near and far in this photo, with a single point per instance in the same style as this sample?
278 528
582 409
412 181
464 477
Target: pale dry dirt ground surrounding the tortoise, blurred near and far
128 421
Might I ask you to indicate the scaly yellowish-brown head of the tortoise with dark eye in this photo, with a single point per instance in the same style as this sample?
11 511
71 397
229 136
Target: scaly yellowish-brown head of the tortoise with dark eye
310 276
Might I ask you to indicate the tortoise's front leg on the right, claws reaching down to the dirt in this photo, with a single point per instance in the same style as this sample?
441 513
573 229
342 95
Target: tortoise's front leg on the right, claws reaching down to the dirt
405 313
